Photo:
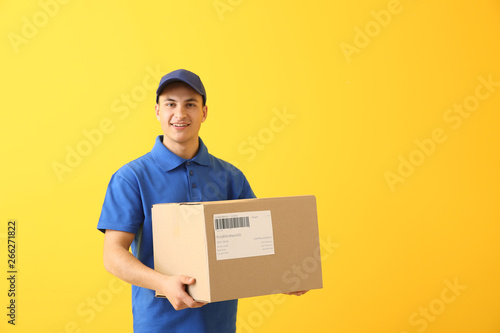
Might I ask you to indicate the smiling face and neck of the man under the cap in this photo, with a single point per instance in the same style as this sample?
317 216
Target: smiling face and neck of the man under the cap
181 112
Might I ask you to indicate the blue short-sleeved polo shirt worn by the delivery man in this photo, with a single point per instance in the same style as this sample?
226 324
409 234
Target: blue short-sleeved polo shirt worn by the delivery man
161 176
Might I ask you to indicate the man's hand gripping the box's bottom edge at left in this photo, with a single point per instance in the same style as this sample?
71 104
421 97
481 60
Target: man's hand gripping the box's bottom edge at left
175 291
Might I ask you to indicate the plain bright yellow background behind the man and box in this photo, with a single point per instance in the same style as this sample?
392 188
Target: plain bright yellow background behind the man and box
360 82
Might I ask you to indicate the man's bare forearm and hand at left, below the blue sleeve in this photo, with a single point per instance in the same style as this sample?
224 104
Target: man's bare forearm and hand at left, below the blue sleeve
123 264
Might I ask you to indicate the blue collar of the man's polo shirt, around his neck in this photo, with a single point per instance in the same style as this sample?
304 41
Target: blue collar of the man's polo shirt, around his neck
169 161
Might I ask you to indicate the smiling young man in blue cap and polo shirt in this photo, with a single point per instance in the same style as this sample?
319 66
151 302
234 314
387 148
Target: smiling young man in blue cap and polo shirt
178 169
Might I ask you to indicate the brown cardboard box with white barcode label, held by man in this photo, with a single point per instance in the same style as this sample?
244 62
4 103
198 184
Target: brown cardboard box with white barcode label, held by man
239 248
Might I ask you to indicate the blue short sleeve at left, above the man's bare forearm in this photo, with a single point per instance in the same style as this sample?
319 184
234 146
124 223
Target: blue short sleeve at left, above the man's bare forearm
122 209
